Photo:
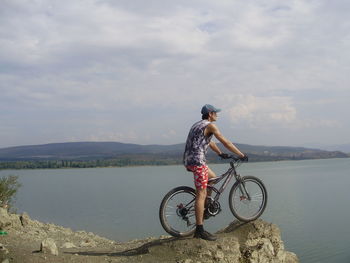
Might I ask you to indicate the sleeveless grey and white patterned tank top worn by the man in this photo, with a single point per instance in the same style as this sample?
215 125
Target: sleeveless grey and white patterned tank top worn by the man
197 144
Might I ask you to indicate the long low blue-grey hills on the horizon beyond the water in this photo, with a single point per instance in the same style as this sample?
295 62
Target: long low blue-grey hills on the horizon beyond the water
85 151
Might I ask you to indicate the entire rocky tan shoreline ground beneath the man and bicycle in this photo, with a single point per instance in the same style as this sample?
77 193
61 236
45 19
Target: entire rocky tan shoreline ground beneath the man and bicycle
33 241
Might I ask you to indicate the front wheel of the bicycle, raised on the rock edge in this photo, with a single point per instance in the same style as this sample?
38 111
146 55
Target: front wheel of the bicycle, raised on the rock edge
248 198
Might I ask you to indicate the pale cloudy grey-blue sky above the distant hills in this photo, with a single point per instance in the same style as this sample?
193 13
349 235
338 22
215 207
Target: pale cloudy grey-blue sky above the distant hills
140 71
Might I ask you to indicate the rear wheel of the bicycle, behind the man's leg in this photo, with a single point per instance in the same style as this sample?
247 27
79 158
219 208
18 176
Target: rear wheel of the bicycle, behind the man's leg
177 211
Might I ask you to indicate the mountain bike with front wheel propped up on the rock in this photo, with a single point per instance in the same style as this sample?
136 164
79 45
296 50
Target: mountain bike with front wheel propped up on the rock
247 201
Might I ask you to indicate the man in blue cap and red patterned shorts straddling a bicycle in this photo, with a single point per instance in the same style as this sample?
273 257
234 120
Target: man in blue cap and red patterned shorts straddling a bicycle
198 140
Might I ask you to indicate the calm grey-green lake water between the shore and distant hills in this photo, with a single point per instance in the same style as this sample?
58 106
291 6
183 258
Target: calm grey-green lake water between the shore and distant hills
308 200
